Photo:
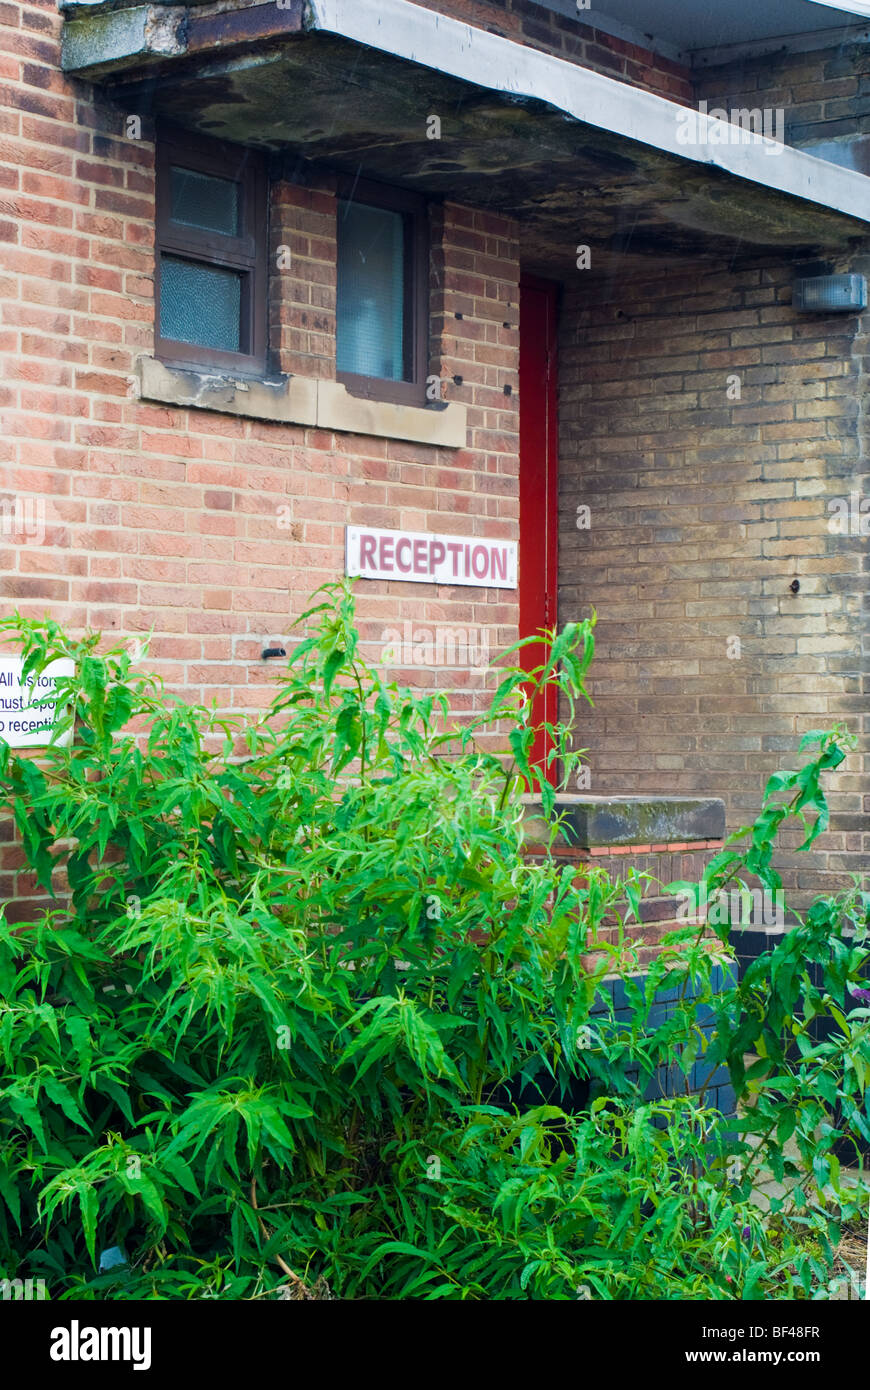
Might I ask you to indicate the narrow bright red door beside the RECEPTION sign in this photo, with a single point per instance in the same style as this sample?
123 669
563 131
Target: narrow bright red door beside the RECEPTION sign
539 486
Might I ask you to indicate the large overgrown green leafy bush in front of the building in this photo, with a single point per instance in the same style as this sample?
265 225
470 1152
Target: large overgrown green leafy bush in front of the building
309 1024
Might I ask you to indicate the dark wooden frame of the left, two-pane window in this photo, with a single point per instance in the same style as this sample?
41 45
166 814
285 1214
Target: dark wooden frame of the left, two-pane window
245 254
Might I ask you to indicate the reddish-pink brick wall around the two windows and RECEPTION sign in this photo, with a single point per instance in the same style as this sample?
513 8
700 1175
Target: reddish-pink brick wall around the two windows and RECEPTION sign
169 518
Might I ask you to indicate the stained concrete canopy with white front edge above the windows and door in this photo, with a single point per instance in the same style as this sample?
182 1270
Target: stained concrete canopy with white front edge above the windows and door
577 156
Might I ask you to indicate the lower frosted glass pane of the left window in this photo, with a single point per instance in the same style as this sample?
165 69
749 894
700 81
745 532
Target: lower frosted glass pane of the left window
201 304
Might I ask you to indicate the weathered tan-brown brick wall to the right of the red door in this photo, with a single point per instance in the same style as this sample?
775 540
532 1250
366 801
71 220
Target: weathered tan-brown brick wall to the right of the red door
704 509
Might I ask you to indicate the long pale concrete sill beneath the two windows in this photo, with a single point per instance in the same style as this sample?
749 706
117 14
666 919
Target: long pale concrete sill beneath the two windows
301 401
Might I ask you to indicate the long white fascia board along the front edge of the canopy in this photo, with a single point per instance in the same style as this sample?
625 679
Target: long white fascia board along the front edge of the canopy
486 60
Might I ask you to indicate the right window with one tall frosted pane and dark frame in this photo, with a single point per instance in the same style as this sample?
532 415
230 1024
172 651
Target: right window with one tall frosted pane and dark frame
383 319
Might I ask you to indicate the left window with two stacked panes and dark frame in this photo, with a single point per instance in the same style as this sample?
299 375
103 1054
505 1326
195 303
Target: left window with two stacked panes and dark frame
211 255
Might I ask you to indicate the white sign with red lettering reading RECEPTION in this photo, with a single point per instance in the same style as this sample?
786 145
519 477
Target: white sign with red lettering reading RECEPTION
420 558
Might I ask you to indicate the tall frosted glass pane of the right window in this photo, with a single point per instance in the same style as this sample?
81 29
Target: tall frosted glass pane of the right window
372 291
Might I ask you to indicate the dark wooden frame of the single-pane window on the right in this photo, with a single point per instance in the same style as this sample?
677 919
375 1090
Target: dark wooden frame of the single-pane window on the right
416 293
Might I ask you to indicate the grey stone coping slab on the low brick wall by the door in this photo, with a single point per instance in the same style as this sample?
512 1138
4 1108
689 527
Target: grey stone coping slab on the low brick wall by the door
597 822
